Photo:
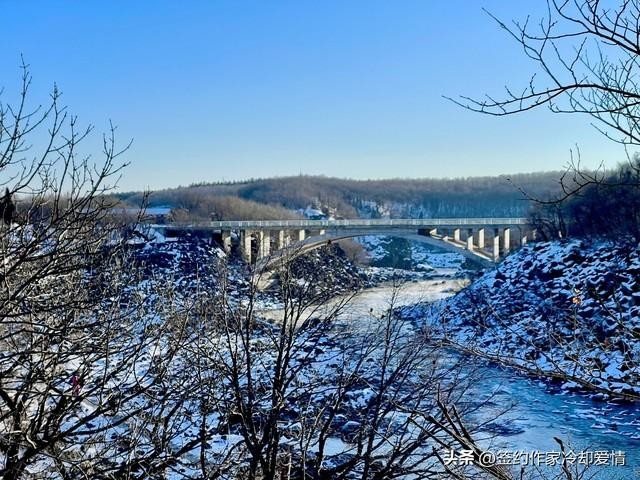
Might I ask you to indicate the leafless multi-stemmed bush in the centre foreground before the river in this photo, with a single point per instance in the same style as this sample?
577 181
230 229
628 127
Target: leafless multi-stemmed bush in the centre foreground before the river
320 389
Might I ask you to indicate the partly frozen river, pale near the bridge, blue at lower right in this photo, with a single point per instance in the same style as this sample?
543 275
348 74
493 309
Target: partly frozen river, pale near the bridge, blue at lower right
536 411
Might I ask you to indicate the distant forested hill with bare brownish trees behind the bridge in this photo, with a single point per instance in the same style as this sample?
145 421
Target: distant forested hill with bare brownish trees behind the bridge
278 198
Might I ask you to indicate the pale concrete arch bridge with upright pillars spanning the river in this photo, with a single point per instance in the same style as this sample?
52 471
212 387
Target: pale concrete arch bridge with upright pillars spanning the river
267 242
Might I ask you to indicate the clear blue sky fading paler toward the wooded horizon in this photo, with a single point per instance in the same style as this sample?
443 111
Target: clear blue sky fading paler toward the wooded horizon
231 89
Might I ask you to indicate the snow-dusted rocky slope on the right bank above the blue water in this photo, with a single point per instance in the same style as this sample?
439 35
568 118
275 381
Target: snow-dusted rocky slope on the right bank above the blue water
568 310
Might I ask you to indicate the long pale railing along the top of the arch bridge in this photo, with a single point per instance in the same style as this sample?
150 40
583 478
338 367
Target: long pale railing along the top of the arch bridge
360 222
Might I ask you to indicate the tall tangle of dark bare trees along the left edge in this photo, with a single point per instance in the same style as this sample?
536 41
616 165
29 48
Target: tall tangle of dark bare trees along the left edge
88 371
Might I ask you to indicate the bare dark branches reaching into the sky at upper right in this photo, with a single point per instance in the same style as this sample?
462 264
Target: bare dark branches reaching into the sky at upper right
586 53
